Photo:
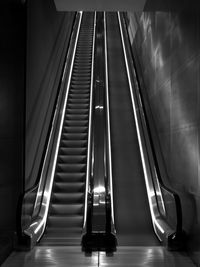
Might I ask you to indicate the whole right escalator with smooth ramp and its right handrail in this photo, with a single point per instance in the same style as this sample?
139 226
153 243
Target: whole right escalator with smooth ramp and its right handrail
144 206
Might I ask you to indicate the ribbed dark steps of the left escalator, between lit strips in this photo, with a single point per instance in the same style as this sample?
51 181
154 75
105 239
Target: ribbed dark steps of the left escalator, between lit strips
66 210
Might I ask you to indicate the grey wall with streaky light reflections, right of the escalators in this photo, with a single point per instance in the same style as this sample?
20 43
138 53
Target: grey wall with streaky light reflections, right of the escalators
167 47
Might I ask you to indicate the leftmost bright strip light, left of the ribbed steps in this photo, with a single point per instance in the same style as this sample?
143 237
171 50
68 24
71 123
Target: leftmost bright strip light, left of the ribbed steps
48 193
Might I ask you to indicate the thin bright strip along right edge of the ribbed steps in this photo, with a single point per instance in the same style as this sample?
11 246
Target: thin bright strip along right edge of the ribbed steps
90 124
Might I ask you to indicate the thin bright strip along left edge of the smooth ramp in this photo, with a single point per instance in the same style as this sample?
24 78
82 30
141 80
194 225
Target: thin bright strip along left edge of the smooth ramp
108 119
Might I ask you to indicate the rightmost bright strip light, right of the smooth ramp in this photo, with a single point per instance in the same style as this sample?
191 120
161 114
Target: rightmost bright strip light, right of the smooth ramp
149 193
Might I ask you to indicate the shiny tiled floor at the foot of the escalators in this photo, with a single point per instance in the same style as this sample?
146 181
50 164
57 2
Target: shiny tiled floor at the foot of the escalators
73 256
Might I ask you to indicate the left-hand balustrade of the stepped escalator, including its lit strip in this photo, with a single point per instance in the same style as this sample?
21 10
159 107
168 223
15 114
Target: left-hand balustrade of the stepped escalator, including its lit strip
37 227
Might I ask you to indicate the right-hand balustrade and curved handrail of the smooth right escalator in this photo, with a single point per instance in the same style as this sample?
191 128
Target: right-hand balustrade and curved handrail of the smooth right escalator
161 227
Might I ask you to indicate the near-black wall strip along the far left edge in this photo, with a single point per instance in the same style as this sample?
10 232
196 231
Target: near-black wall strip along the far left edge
12 77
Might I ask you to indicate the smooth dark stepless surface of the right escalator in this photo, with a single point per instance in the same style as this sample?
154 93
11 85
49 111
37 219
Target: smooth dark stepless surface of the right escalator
132 214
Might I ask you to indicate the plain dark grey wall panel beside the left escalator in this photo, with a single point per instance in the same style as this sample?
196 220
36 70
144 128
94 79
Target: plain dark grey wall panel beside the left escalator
47 35
